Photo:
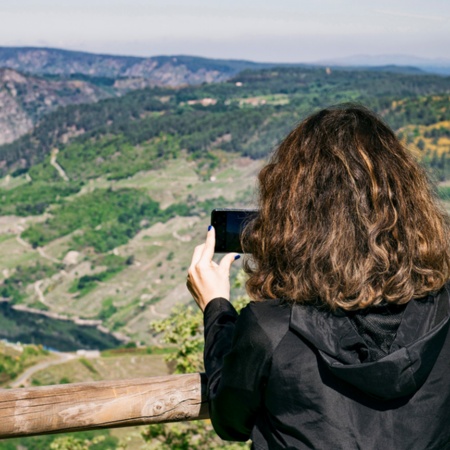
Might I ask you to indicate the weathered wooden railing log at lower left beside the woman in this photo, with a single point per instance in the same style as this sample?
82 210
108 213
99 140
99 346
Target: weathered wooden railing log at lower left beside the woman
101 404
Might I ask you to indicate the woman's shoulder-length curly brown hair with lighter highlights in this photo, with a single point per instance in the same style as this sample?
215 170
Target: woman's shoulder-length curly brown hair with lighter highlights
347 217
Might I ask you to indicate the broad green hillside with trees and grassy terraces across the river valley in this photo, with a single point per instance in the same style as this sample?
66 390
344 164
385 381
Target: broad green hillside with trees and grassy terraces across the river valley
102 203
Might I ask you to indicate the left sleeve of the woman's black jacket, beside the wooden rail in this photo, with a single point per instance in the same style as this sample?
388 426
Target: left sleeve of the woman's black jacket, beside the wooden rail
237 361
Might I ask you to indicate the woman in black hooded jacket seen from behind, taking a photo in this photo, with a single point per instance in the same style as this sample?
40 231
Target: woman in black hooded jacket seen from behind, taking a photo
346 344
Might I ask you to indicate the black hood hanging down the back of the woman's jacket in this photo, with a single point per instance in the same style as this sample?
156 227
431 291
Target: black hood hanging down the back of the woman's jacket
402 371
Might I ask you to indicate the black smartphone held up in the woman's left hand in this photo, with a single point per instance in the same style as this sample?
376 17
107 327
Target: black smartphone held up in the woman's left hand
229 224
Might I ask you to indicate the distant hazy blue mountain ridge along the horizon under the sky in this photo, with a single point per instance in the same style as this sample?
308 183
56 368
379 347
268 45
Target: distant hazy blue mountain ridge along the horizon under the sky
176 70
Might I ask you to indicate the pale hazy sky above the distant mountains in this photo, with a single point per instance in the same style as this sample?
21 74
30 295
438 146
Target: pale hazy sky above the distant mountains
257 30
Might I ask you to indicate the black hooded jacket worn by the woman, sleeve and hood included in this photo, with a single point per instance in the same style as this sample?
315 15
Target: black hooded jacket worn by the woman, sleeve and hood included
300 378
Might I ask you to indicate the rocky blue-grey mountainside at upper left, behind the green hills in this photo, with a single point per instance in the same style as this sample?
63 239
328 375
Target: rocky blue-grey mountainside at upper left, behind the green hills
36 81
